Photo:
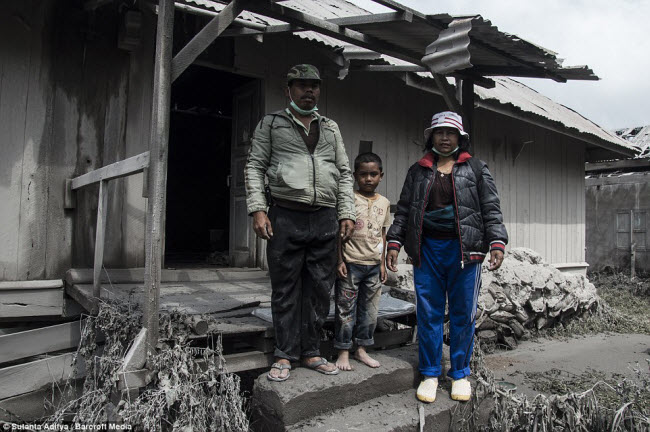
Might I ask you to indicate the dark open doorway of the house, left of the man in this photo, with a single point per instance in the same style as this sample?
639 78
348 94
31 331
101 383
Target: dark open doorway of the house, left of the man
198 195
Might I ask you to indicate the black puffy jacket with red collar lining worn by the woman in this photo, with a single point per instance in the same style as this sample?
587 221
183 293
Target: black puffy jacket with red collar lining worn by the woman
476 203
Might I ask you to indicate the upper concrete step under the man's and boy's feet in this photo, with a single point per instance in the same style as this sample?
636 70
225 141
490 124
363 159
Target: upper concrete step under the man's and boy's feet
308 394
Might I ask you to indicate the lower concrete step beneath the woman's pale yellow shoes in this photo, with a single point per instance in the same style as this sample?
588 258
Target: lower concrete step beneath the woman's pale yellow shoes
389 413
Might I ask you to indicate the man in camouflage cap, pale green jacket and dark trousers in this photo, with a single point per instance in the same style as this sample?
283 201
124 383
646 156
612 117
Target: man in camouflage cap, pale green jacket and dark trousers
310 185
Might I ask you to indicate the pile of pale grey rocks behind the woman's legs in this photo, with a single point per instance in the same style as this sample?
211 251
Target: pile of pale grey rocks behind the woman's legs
525 293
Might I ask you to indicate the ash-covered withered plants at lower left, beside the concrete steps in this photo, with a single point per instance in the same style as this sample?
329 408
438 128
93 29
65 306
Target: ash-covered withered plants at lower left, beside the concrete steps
190 388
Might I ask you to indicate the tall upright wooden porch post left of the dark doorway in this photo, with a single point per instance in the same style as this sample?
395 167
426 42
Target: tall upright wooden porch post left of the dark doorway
160 113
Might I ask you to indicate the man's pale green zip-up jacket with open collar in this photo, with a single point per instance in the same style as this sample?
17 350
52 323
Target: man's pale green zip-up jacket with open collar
322 179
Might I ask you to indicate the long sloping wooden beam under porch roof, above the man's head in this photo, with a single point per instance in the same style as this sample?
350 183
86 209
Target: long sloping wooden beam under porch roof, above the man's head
327 28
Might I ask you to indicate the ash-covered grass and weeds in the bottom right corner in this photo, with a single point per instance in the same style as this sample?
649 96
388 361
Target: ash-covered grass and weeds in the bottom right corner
604 406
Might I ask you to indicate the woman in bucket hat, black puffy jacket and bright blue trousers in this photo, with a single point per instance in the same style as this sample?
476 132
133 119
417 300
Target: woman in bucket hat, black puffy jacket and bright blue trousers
448 218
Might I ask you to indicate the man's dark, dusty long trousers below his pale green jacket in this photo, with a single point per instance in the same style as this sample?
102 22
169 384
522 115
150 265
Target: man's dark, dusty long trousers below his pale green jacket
302 264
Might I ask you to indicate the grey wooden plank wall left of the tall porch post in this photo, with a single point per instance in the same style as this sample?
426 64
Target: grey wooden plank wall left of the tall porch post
63 92
